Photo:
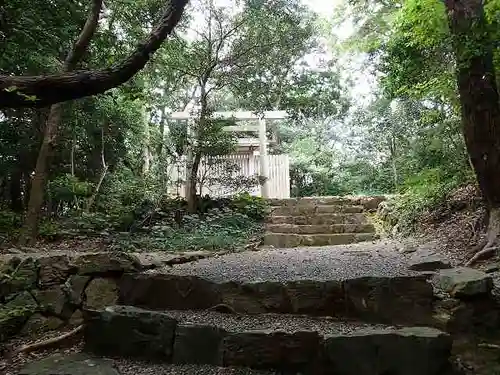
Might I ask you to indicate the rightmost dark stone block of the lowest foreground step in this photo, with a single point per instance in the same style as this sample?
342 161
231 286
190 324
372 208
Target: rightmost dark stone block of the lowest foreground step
407 351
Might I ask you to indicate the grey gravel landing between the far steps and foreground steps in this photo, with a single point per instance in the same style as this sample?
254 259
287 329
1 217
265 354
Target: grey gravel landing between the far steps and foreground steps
381 258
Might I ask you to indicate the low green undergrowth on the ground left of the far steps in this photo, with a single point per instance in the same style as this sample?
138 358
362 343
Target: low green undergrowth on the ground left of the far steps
165 225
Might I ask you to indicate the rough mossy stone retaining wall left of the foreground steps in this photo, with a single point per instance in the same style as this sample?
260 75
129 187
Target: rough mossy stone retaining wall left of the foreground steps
41 292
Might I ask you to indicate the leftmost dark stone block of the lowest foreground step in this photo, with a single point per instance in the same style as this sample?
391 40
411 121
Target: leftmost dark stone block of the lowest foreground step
130 332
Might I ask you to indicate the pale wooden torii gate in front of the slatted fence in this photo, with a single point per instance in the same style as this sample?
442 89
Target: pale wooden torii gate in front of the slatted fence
260 128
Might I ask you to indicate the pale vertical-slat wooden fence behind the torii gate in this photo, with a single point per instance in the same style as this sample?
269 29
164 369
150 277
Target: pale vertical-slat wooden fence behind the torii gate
216 169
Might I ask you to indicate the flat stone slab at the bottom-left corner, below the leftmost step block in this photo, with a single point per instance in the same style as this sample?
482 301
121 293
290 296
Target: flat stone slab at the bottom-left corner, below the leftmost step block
73 364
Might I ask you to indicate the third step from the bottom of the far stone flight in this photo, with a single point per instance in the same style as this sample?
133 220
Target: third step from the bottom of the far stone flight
320 219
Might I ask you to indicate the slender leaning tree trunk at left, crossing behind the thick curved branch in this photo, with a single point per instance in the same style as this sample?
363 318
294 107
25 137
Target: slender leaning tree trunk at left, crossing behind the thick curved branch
37 194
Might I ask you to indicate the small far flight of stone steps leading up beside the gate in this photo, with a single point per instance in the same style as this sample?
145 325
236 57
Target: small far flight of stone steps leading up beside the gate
319 221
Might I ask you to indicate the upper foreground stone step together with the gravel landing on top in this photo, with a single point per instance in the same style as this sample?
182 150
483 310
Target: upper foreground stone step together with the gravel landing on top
376 287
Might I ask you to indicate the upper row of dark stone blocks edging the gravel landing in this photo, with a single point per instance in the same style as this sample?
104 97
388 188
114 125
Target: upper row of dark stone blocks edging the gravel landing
398 299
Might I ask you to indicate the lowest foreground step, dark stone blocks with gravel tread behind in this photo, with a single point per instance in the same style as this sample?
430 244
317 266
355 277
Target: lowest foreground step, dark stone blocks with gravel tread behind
267 342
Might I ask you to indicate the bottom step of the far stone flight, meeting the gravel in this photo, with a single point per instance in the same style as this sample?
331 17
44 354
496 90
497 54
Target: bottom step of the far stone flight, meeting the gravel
288 240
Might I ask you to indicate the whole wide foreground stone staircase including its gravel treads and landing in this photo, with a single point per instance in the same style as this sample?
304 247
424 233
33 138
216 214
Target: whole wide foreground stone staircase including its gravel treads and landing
347 310
